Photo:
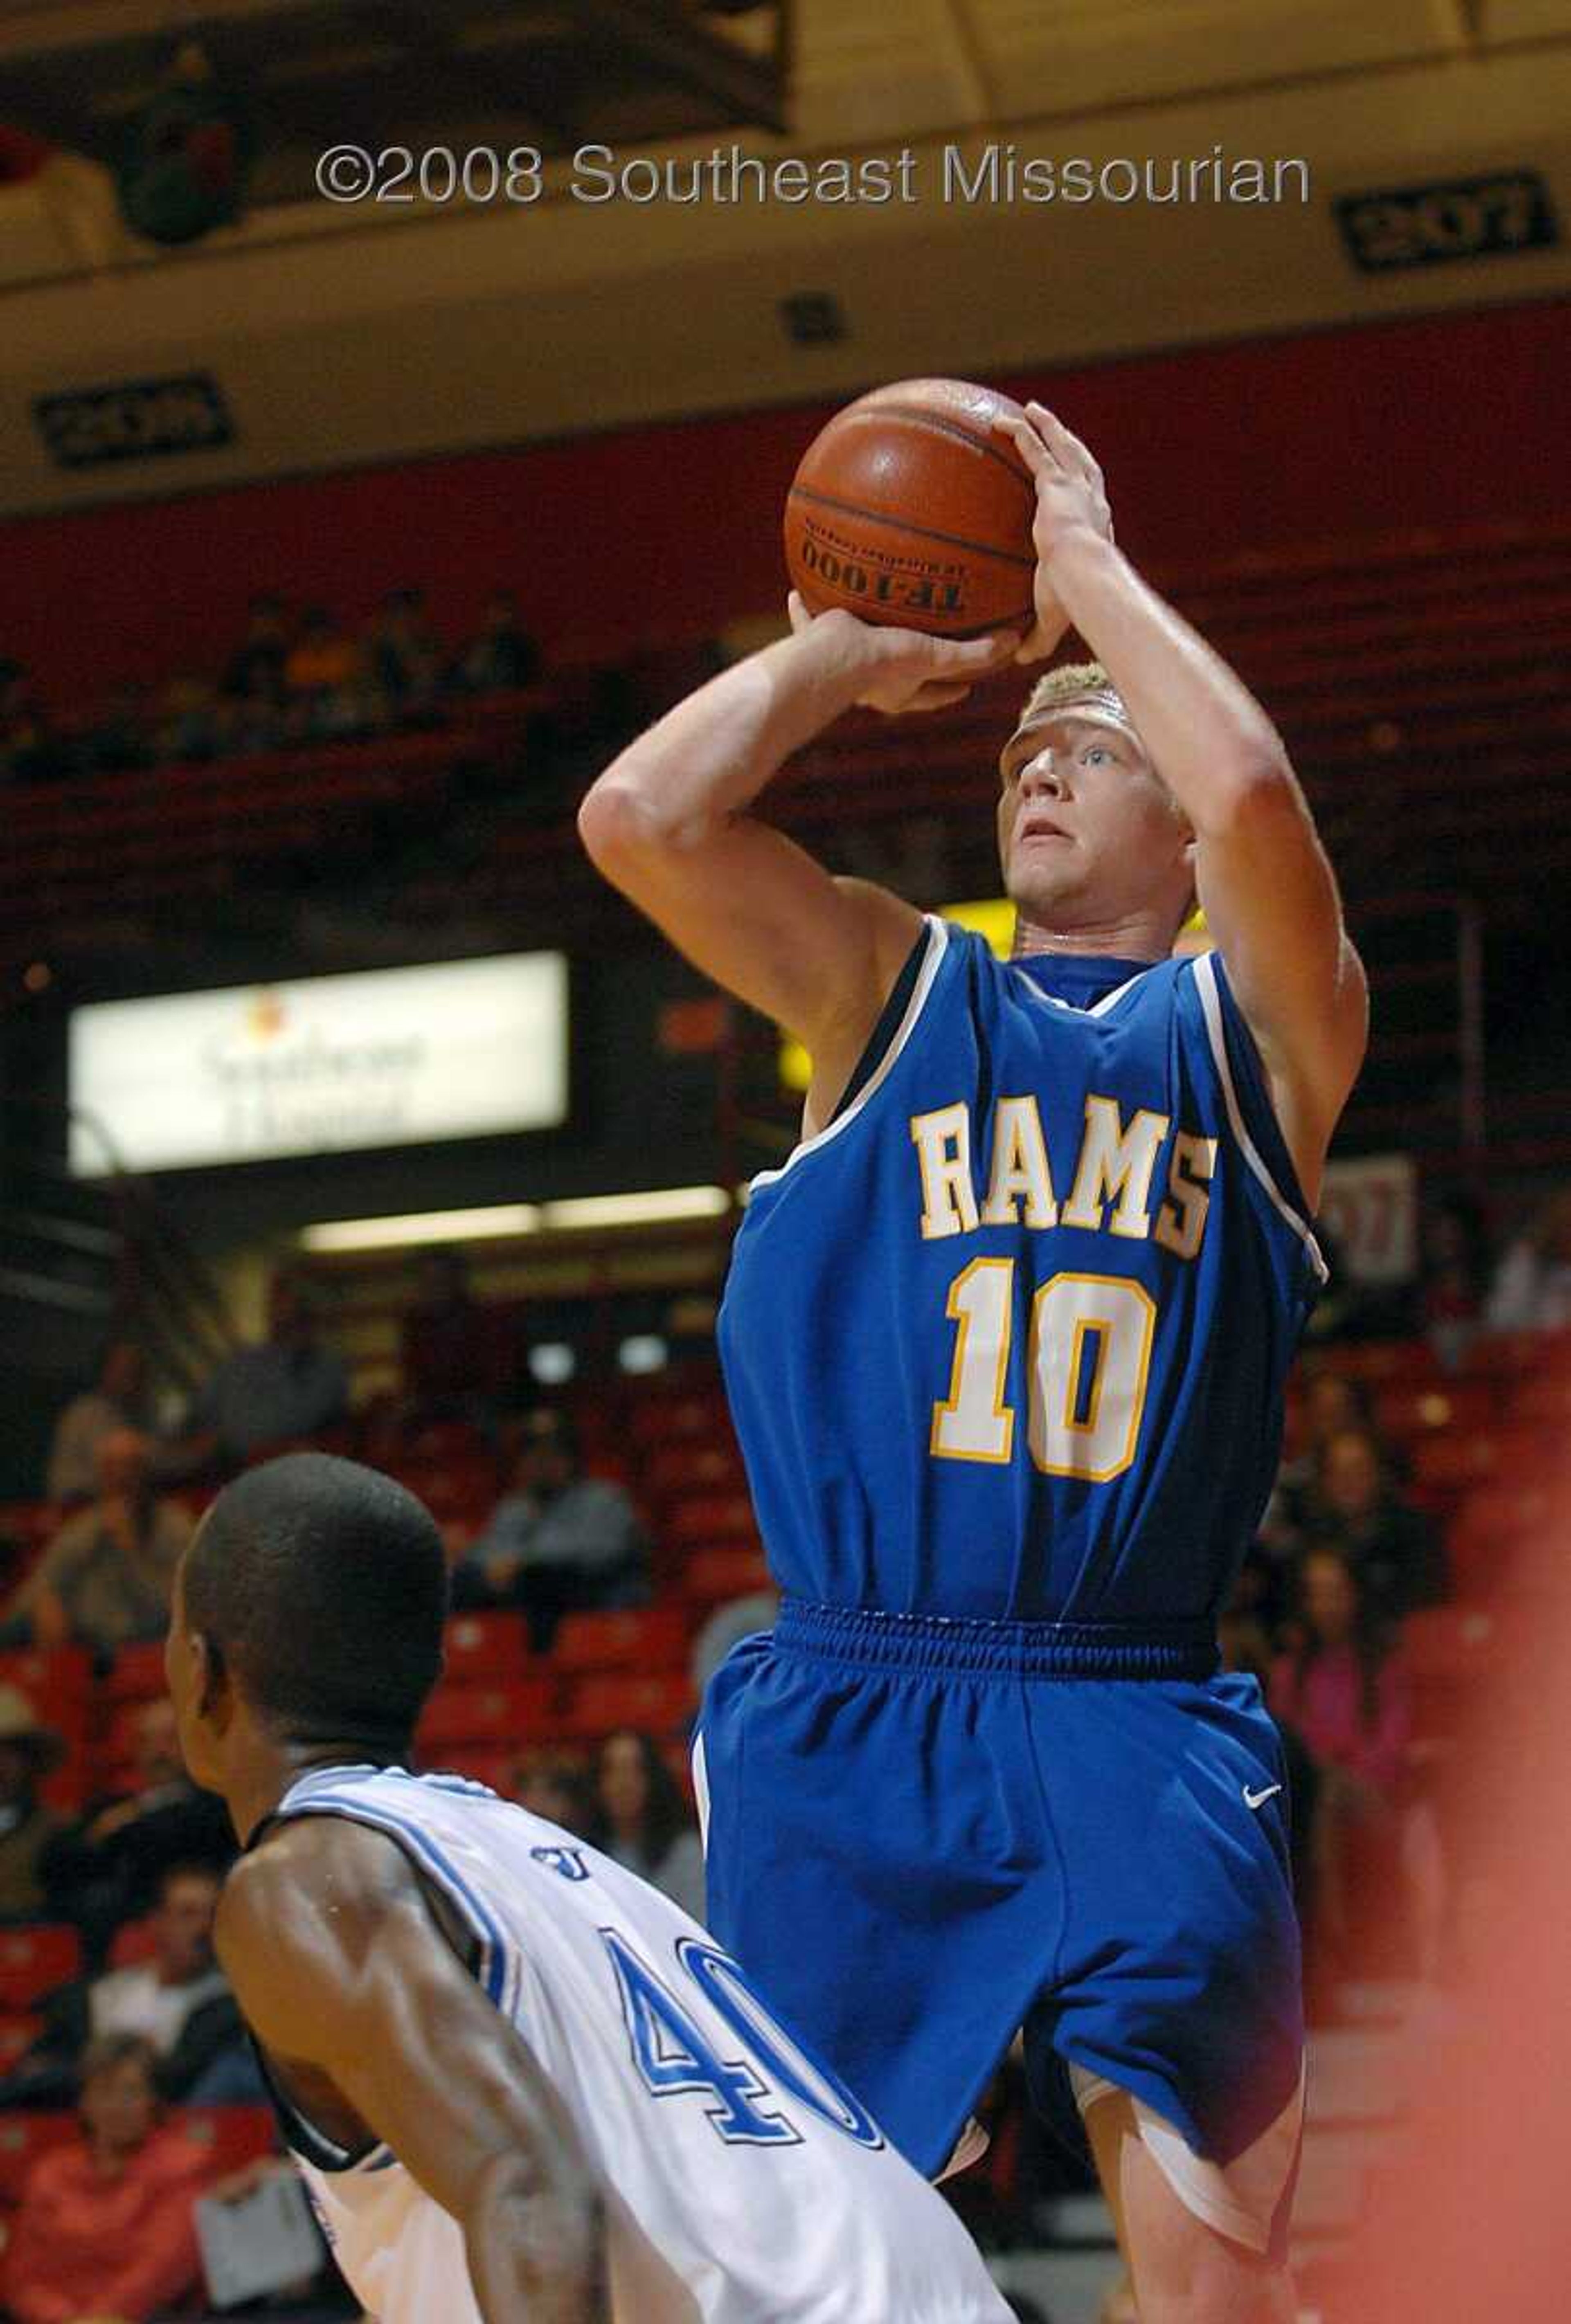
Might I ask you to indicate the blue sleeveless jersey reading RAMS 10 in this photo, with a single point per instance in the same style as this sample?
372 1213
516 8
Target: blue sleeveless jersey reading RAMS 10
1010 1337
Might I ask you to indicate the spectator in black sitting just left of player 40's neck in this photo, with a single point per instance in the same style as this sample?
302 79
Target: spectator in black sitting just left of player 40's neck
106 1870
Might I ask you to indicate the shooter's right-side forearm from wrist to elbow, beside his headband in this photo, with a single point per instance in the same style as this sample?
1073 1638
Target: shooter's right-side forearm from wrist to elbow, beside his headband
1207 736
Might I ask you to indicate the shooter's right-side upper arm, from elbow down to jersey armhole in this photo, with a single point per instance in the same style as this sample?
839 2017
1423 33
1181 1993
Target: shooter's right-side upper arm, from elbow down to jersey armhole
1272 905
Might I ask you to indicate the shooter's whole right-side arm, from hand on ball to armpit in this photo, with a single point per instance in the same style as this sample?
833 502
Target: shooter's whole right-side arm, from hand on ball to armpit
1263 877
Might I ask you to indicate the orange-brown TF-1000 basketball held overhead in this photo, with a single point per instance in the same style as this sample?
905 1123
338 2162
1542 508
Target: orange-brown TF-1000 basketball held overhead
912 510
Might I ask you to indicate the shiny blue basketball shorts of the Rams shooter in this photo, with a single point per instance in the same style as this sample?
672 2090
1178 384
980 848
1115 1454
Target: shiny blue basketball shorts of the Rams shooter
928 1835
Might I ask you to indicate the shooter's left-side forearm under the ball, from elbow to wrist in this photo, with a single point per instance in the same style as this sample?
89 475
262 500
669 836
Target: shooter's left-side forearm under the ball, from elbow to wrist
710 756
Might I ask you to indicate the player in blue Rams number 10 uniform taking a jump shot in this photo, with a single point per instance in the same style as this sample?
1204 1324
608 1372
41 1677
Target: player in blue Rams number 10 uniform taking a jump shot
1005 1344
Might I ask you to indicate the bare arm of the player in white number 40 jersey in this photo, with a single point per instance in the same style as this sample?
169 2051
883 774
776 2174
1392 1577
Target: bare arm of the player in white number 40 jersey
345 1972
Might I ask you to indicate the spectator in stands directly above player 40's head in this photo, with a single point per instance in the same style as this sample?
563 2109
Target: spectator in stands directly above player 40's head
275 1393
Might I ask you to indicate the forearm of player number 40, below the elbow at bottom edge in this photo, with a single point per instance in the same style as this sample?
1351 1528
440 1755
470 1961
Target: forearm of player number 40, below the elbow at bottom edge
536 2251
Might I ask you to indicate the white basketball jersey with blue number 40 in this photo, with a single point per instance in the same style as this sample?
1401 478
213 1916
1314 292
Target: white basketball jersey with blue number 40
743 2186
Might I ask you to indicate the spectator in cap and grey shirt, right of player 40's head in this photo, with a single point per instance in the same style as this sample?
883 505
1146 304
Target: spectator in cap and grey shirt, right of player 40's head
559 1542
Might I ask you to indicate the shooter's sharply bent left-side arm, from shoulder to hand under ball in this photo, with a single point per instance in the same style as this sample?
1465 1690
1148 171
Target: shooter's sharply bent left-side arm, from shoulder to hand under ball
668 824
